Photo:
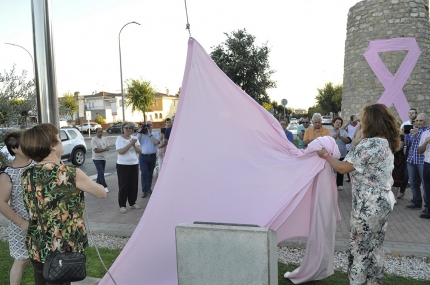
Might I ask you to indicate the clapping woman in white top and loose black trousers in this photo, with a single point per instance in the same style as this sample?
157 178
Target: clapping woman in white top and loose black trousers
127 167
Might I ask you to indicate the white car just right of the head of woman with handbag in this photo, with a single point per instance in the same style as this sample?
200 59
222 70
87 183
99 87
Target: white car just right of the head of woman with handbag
74 146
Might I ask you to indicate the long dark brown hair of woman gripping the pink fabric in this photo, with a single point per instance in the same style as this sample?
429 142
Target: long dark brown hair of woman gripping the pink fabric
378 121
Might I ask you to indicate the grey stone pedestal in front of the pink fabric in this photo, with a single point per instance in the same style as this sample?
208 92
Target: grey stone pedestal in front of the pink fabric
210 254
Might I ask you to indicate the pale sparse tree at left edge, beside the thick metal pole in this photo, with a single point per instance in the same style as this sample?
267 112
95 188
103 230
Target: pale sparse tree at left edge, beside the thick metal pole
17 98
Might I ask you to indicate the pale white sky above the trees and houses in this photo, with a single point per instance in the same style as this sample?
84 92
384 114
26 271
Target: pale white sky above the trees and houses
306 38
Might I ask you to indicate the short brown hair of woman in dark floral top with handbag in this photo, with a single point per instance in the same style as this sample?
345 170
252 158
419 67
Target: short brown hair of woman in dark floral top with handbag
36 142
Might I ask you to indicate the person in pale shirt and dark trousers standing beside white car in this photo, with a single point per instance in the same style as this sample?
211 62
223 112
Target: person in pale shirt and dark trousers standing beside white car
100 145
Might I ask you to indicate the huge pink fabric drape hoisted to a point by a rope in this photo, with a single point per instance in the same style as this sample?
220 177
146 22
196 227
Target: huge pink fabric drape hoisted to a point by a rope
229 161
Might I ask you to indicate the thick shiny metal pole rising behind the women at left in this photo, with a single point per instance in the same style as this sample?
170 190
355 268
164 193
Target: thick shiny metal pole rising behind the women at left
46 83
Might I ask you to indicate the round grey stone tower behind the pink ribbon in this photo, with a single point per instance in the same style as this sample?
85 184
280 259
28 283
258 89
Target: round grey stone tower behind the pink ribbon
371 20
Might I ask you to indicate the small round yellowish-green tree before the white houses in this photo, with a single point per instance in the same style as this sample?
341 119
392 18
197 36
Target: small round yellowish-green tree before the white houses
140 96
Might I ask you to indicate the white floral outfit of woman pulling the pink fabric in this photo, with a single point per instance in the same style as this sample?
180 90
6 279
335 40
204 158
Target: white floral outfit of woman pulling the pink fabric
371 183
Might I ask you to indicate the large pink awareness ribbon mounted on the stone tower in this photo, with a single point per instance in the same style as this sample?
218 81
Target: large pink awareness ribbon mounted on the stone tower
393 84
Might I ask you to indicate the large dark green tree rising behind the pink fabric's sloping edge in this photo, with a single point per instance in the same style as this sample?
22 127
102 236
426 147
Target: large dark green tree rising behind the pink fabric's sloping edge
245 64
